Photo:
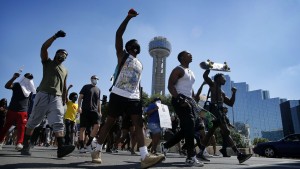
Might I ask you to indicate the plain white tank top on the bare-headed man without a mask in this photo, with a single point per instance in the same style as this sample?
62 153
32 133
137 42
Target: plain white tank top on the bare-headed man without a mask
184 85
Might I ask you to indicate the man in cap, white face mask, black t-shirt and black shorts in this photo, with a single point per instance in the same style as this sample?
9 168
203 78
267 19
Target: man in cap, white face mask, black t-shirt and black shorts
89 107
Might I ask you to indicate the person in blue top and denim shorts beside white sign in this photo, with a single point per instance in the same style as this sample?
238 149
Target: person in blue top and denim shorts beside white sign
154 123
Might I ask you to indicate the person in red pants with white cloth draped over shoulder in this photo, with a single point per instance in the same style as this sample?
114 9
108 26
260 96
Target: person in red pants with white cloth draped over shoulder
17 109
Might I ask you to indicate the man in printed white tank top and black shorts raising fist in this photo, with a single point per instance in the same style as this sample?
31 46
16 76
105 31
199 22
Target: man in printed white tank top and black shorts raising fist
125 96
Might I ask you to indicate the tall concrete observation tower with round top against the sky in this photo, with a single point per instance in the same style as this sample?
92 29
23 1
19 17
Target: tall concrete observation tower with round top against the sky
159 49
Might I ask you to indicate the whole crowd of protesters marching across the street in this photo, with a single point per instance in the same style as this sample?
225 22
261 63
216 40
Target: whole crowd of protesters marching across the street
49 115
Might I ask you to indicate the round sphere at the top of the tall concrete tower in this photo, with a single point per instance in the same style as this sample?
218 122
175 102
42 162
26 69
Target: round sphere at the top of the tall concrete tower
160 47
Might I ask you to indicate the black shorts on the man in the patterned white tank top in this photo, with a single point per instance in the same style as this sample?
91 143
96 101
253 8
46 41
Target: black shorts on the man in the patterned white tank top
119 105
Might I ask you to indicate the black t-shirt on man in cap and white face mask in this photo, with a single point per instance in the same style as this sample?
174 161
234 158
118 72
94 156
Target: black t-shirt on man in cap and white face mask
91 97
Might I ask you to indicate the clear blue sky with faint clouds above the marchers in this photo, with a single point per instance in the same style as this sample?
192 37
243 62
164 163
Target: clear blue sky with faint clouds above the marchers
259 39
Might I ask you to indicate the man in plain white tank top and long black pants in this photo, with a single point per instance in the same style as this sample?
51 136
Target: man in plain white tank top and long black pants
180 86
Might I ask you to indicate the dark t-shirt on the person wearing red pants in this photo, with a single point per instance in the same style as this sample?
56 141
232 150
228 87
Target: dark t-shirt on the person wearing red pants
18 102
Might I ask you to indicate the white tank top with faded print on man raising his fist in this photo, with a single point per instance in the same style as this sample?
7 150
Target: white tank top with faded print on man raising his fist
127 84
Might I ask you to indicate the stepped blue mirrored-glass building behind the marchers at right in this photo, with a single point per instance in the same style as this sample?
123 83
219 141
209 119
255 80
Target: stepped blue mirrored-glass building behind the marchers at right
254 108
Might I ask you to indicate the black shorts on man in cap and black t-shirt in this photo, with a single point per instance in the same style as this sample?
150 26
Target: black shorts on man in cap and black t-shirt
89 118
